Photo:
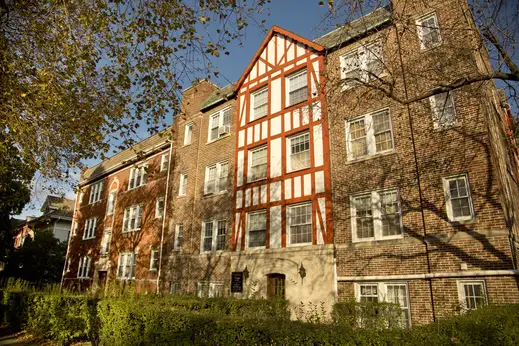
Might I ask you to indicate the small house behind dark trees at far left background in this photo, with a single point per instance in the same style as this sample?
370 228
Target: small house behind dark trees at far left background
56 217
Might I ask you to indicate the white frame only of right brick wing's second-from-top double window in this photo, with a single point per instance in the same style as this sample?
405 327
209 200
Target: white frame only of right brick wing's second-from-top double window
369 135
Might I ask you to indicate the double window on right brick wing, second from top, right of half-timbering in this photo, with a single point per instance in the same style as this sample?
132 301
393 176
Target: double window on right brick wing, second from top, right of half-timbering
369 134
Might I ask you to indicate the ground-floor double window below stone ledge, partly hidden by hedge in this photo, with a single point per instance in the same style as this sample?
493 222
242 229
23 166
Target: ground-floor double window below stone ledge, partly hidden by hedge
395 293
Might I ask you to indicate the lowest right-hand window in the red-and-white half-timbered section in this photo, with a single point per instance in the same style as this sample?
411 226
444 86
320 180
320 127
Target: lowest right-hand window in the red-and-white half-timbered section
300 223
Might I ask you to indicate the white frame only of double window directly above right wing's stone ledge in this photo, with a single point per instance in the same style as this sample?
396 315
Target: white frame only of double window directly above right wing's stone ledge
376 213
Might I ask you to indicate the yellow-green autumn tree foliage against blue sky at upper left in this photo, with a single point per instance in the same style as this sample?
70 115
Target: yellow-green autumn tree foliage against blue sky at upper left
76 75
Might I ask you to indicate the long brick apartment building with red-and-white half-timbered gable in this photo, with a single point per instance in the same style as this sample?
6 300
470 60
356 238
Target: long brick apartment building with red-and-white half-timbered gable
300 182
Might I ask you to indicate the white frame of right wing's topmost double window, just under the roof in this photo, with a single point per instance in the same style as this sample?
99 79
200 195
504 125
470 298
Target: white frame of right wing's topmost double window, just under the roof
361 53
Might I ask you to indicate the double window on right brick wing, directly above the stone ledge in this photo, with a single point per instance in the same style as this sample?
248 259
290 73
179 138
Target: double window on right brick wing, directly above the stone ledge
376 215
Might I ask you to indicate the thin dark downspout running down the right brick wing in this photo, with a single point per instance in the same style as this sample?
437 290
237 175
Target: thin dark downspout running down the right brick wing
415 157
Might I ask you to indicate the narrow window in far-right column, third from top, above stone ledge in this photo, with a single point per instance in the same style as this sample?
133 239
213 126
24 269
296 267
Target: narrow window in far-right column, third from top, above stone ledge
458 199
